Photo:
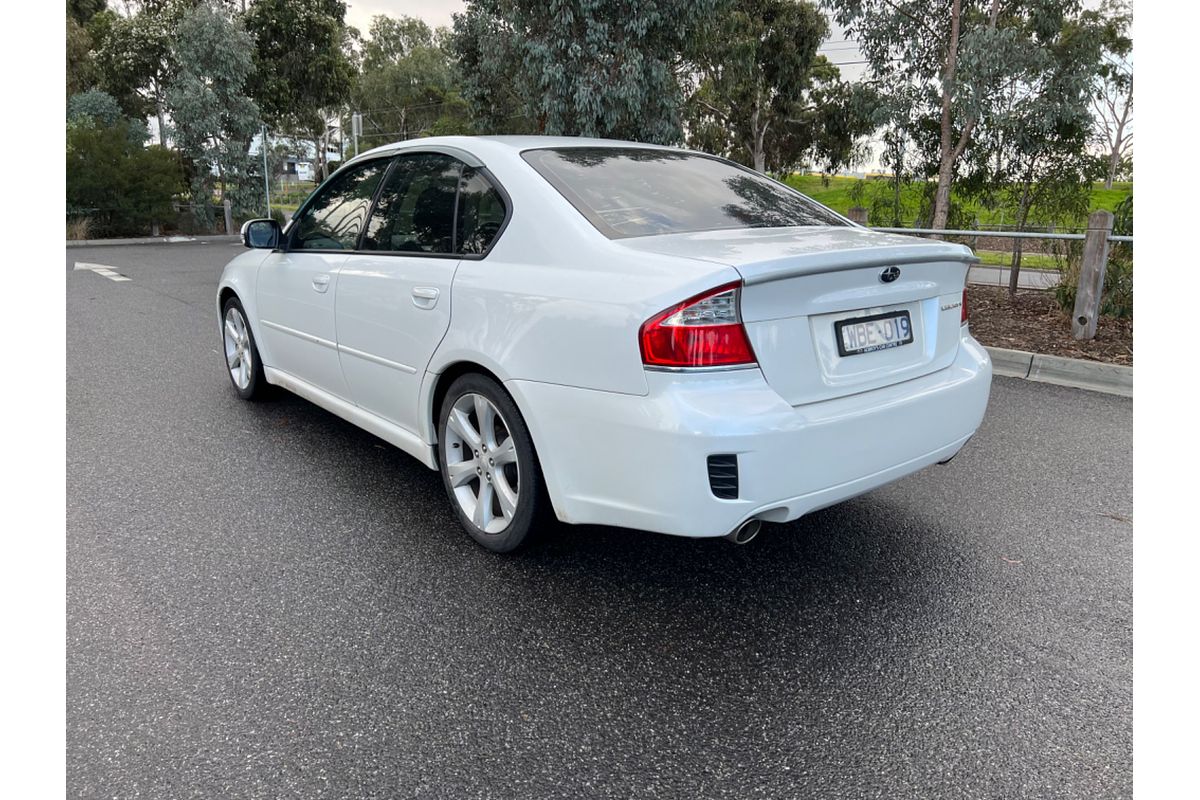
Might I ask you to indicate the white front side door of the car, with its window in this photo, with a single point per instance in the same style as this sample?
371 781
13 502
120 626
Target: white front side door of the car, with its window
297 284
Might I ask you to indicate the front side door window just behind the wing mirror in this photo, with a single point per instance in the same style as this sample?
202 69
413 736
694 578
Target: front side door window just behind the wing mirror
334 220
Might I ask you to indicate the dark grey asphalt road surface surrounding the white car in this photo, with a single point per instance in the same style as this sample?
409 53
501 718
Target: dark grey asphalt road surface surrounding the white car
266 603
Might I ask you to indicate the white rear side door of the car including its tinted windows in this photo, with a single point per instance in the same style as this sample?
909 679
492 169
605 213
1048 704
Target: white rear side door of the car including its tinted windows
394 297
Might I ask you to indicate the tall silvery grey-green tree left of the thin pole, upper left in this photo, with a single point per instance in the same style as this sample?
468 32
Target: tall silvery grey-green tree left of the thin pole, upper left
214 119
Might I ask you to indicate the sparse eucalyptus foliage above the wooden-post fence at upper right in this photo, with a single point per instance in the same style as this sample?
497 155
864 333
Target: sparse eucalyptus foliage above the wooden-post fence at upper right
1019 73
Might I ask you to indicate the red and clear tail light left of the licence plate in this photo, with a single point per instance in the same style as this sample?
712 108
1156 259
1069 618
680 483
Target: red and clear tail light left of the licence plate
704 332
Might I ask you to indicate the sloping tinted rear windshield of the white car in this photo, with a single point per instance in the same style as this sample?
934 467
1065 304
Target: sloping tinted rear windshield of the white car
643 193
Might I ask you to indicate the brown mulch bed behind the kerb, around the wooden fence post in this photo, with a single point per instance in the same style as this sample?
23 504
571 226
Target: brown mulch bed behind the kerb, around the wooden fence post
1034 322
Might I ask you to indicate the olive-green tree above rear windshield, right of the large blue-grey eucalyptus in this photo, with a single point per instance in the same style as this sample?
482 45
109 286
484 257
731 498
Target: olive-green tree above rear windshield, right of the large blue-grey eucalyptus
765 97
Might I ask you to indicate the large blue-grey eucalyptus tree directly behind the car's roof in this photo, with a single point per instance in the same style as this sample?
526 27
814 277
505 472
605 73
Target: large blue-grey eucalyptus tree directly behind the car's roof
587 68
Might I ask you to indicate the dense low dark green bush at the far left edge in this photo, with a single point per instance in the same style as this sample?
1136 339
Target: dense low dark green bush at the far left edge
116 183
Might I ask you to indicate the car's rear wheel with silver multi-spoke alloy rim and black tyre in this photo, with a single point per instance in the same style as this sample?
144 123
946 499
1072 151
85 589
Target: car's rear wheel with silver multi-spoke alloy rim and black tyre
489 466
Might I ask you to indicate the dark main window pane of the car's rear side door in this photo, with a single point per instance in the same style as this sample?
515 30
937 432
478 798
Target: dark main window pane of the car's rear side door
416 208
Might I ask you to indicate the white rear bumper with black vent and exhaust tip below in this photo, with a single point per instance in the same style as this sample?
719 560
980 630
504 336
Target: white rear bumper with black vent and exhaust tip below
643 461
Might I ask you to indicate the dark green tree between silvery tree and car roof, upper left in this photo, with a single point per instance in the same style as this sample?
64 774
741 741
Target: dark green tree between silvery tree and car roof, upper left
303 73
